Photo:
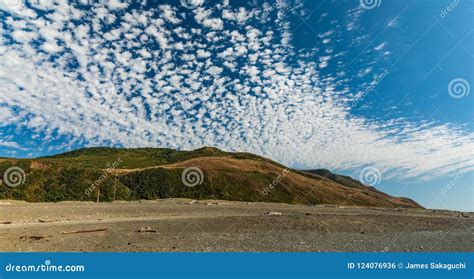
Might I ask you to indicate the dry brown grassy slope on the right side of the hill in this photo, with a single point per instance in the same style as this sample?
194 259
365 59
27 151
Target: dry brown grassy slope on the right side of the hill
298 187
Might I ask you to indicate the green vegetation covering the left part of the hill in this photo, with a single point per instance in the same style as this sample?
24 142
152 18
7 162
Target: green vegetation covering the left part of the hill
68 176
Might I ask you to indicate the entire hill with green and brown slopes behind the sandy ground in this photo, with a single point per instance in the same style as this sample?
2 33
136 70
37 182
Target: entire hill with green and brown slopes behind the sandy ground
150 173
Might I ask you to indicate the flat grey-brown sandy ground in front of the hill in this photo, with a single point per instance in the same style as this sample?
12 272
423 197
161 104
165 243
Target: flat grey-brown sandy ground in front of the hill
185 225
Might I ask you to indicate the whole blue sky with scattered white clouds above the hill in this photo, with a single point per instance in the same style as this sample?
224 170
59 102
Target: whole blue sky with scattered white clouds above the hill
375 89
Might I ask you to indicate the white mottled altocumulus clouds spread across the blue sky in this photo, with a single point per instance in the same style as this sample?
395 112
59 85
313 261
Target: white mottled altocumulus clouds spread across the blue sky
206 73
